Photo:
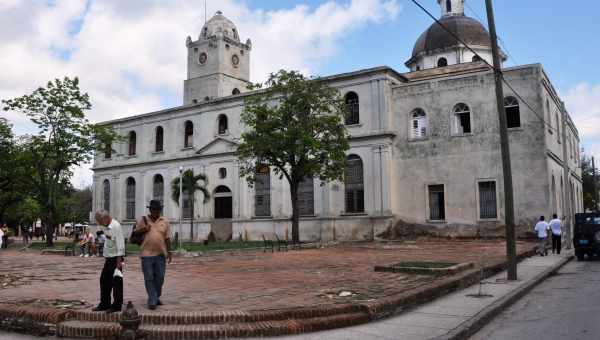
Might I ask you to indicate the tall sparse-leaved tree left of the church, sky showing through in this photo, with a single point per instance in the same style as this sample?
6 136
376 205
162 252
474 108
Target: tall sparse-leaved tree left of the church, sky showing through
65 139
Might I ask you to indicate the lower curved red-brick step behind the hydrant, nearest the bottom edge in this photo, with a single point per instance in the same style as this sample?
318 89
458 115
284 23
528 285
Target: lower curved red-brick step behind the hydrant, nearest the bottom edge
108 330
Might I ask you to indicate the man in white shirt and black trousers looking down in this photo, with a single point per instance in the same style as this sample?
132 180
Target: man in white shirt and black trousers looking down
111 279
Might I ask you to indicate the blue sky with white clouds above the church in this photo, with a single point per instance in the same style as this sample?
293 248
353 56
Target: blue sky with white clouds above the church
130 56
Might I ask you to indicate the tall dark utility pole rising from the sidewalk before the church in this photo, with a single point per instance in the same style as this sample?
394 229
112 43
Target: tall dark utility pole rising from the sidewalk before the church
509 207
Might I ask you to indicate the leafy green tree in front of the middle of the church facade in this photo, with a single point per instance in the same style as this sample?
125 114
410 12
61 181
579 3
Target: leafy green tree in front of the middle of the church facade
296 127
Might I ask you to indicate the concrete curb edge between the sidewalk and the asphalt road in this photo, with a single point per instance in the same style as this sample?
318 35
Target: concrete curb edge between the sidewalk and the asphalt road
477 322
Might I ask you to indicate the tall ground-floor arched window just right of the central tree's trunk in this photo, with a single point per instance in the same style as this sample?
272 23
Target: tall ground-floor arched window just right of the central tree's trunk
354 180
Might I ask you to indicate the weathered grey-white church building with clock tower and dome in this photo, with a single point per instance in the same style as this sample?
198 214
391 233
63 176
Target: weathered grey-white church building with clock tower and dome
424 147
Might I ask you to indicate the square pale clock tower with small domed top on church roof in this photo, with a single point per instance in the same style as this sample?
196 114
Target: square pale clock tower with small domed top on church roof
218 63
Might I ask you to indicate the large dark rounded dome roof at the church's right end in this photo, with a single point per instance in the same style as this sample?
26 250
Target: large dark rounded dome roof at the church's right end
436 37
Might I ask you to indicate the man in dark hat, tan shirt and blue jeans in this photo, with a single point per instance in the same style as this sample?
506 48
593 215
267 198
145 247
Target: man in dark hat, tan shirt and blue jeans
154 251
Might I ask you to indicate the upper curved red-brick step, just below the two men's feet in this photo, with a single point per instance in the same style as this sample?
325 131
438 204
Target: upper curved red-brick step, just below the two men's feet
194 318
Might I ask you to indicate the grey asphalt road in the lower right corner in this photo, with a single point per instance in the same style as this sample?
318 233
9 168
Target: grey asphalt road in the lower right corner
565 306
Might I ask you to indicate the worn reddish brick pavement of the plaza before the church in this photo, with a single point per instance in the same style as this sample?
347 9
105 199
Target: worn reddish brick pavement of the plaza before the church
241 280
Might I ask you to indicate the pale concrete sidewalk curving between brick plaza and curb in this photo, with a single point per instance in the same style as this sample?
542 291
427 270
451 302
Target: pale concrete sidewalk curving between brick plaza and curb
453 316
